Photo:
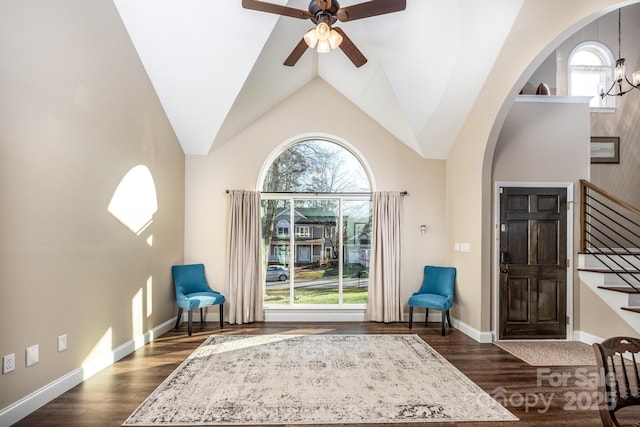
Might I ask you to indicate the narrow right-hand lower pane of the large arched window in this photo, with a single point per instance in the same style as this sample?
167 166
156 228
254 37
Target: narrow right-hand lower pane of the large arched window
357 248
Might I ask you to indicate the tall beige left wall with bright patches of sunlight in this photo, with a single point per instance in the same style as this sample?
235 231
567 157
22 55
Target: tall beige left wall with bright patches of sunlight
77 113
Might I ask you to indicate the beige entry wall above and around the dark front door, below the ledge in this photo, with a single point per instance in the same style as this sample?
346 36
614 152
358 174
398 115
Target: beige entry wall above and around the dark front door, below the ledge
546 139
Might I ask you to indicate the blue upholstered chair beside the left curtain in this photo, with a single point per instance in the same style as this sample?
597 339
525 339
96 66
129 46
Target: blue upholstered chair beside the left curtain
193 291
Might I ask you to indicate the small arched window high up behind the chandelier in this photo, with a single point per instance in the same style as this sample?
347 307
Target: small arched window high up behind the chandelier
591 67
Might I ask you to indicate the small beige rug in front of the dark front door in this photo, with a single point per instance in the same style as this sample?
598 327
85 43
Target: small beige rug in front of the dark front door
550 353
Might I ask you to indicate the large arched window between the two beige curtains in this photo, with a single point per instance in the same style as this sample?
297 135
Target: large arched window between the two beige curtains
316 226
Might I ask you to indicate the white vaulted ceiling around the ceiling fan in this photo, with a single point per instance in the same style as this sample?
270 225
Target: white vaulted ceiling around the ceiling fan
217 67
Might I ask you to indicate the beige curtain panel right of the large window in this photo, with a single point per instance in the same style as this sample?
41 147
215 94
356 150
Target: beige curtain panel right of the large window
384 303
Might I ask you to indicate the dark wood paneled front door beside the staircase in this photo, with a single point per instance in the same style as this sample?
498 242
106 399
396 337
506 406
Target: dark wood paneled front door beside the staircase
533 263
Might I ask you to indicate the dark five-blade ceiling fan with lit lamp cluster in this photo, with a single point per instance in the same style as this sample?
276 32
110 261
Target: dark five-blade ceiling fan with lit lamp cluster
324 13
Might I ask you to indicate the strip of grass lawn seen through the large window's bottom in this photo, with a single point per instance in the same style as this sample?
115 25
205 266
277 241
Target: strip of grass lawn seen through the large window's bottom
317 296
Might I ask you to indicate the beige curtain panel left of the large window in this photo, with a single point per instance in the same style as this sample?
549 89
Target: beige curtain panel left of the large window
244 270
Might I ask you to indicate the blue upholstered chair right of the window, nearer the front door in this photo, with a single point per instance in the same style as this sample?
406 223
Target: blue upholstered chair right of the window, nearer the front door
436 292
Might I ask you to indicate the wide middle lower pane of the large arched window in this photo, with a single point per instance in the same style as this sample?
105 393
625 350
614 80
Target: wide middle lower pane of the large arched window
317 254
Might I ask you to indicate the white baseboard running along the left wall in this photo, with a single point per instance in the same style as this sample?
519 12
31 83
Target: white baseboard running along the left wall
28 404
